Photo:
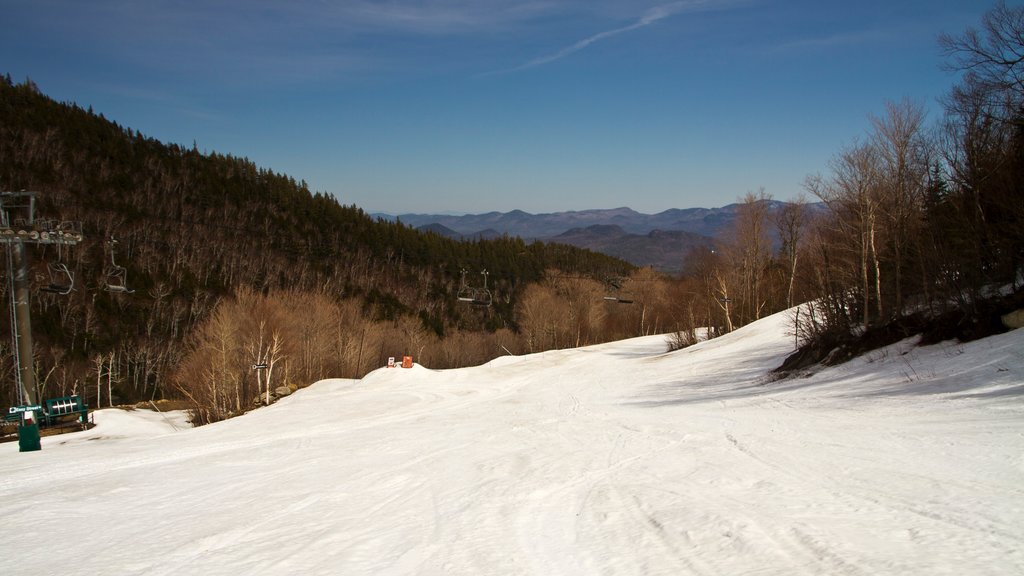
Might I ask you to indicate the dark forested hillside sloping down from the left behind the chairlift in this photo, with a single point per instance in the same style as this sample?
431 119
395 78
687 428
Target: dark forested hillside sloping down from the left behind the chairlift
194 229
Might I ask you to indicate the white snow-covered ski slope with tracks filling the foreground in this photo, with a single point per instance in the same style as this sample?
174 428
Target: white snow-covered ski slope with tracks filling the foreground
612 460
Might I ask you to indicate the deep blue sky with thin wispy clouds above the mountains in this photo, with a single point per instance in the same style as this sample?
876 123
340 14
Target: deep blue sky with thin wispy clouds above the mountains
473 106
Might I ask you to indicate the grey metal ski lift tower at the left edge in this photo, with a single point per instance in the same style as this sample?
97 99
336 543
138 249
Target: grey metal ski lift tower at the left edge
18 229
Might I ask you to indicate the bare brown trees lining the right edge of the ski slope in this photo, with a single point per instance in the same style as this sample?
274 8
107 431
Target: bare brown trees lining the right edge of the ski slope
922 230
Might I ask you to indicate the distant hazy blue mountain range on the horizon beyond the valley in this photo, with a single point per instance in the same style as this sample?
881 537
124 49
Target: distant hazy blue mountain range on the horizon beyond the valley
661 240
